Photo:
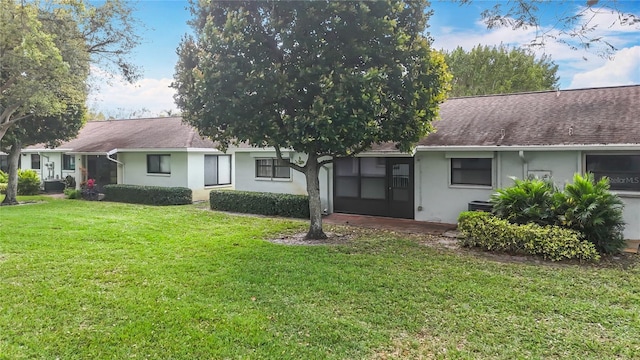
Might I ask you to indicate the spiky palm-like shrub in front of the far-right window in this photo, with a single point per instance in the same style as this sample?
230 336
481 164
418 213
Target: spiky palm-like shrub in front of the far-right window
589 207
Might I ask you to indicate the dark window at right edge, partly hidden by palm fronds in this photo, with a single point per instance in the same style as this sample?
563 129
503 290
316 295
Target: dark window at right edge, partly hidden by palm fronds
623 171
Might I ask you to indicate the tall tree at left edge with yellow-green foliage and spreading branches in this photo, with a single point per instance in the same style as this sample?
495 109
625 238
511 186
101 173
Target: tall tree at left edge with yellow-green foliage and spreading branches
45 56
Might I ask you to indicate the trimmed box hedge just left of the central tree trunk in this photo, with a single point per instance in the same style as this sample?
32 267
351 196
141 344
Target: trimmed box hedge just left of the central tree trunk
261 203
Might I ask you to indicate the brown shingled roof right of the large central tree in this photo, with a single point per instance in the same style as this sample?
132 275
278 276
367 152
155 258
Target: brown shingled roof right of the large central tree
596 116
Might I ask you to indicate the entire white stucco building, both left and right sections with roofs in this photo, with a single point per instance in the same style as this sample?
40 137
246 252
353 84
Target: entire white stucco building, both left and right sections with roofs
479 143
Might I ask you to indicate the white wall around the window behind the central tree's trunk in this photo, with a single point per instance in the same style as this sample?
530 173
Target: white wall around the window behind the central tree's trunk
245 177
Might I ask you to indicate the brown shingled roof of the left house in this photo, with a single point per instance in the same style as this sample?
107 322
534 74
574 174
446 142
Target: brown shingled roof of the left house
152 133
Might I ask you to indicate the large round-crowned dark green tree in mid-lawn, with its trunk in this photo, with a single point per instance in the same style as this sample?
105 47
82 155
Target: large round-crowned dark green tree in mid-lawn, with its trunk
324 78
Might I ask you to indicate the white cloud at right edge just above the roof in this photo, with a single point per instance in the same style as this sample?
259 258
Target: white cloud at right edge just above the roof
623 69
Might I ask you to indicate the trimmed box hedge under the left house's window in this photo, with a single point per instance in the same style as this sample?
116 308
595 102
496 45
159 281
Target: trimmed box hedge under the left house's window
148 195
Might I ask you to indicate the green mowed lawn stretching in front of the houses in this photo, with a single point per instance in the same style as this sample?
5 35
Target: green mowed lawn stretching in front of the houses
99 280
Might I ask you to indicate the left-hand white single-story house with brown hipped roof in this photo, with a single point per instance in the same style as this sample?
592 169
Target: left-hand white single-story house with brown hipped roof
156 151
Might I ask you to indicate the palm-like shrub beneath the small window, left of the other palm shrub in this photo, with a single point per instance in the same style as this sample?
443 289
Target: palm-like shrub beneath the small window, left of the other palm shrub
527 201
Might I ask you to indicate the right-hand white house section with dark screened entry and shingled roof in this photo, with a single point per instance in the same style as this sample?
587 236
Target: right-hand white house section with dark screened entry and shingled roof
479 143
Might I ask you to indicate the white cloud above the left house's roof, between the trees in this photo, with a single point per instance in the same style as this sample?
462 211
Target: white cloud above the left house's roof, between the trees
114 96
